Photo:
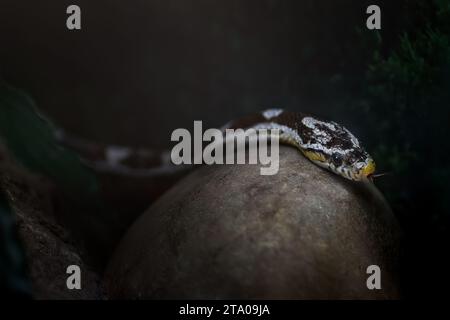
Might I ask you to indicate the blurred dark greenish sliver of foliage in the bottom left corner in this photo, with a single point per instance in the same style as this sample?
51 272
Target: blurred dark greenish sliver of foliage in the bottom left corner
13 281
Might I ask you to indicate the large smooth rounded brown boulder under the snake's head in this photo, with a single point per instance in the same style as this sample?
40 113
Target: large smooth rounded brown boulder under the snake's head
228 232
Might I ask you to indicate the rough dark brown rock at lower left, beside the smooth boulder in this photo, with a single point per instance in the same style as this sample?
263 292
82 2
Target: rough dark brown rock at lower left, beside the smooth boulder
48 245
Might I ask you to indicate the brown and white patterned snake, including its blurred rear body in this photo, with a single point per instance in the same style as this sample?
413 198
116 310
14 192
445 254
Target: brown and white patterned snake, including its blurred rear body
327 144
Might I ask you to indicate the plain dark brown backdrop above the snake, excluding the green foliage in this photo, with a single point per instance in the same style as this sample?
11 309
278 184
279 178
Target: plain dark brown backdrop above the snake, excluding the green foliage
138 70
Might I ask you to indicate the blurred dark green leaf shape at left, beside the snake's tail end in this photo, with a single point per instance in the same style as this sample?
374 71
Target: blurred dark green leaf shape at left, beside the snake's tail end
31 139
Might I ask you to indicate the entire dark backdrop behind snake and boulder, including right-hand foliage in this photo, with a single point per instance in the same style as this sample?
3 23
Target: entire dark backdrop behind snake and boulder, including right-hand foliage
139 69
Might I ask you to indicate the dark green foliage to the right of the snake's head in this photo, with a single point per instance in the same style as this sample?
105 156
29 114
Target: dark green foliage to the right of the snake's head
408 112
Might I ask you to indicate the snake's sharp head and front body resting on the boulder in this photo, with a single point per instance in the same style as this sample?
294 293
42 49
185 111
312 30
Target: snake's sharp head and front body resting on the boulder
325 143
